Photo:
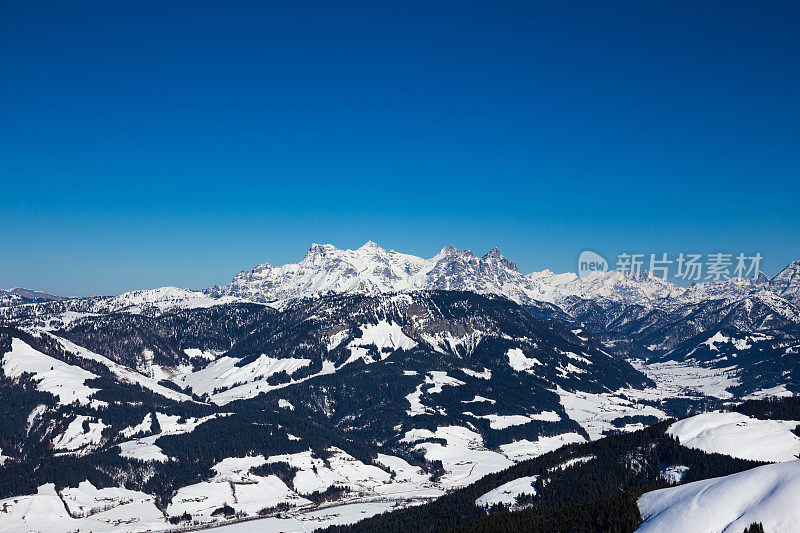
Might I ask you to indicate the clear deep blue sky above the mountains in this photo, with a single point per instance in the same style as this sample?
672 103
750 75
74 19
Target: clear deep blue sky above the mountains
175 143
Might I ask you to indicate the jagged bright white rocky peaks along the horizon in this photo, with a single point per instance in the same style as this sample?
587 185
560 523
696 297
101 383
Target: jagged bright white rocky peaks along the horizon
370 269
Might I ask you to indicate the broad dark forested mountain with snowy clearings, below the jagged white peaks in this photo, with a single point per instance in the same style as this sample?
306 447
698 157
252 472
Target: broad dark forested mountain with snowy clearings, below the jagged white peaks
392 397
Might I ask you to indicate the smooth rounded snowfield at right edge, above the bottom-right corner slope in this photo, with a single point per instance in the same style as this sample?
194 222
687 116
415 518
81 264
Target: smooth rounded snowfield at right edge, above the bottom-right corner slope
739 436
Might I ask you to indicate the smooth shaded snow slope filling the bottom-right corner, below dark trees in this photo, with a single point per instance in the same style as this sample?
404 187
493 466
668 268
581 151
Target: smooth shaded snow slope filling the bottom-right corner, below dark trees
767 494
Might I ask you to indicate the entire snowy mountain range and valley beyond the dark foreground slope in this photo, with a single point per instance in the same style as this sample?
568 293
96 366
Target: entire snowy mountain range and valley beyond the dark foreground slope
370 380
